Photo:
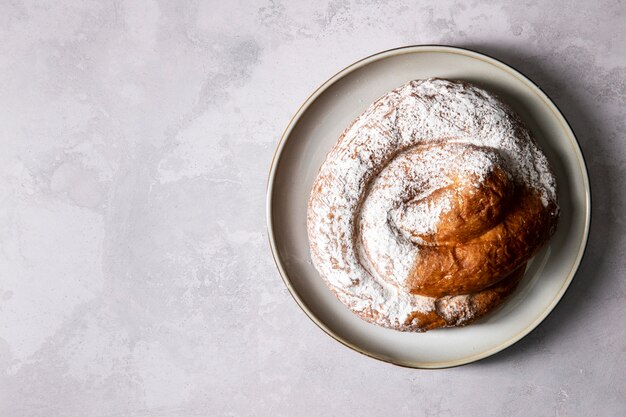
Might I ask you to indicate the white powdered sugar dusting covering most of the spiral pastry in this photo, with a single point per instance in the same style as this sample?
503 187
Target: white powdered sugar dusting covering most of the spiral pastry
368 201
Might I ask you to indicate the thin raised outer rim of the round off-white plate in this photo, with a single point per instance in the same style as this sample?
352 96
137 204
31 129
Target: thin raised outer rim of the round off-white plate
417 49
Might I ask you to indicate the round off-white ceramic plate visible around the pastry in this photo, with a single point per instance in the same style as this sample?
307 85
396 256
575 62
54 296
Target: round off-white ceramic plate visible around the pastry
316 127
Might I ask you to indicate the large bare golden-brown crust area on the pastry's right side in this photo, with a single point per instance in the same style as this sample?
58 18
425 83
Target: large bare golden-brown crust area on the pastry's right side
488 233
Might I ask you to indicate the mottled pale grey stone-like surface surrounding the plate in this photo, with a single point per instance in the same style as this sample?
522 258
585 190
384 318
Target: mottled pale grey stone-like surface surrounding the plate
135 273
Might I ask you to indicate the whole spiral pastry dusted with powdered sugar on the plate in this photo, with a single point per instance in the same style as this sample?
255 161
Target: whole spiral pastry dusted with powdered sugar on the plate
426 211
